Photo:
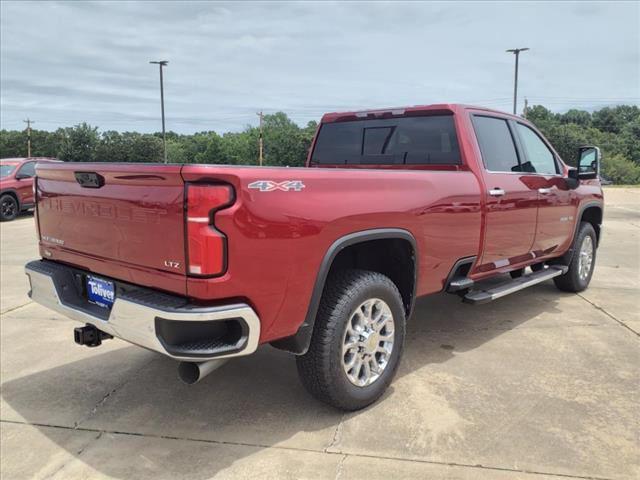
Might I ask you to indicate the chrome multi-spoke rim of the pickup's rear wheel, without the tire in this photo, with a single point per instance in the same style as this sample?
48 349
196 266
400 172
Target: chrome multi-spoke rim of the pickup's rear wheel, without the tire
368 342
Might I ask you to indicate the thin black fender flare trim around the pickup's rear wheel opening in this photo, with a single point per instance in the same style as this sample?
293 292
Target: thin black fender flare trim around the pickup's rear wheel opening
300 341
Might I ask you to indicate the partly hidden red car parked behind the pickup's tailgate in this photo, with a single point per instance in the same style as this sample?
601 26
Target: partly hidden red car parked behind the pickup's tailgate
16 185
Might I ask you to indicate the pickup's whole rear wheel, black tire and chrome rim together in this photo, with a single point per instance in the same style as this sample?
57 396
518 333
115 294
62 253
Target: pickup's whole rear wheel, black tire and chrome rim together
357 340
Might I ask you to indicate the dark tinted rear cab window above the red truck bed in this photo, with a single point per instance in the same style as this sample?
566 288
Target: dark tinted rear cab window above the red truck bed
419 140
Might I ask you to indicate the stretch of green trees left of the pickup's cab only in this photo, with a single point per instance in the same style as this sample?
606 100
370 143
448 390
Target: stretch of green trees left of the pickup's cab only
286 144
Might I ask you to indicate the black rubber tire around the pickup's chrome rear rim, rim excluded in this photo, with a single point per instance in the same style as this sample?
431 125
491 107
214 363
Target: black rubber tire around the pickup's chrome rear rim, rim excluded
321 368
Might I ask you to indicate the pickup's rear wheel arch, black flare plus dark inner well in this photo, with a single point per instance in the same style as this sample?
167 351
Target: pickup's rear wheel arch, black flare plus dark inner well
354 247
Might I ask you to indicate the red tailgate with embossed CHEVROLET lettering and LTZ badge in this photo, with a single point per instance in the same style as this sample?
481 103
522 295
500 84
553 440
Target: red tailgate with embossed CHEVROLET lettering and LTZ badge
128 215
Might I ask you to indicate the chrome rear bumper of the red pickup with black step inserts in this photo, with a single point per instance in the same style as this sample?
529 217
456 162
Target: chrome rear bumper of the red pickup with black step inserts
163 323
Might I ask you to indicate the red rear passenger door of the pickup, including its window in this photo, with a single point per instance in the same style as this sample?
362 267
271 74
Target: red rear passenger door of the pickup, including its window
511 210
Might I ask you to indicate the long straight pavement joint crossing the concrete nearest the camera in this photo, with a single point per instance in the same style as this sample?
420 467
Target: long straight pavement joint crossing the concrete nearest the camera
309 450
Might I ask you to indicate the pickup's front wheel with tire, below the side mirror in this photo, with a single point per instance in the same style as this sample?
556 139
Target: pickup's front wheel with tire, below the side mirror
582 262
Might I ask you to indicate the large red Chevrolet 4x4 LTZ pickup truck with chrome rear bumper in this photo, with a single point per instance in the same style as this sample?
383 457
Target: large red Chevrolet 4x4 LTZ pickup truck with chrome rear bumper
204 263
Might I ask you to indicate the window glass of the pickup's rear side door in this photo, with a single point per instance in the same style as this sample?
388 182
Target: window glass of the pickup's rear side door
496 144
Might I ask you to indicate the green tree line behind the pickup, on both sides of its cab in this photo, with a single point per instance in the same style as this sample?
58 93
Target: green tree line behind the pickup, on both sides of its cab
616 130
